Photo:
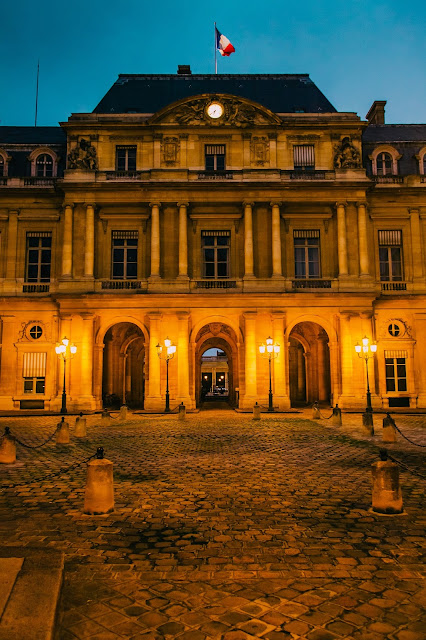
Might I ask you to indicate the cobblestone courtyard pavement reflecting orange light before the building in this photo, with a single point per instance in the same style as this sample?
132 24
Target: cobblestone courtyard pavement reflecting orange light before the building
226 528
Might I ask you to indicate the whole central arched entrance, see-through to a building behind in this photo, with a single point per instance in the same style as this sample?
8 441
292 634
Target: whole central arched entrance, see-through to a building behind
216 368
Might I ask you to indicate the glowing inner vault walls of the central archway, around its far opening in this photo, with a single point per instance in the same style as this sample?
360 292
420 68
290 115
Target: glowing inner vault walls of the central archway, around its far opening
220 337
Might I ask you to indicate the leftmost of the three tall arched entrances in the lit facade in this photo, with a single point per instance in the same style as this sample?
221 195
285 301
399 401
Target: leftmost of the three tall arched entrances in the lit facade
123 378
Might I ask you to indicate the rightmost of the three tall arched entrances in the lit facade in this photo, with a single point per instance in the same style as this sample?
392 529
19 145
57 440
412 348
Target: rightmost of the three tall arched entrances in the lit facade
309 364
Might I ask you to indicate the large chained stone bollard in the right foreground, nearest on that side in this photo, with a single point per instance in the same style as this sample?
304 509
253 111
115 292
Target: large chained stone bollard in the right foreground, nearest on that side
387 496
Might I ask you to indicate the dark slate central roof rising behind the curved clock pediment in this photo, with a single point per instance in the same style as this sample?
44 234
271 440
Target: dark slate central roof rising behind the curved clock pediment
150 93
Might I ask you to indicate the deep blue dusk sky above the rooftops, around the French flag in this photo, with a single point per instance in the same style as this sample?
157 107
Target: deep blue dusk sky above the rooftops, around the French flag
355 51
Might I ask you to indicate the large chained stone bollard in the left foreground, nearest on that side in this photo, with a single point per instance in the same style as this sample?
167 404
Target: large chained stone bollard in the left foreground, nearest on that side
99 494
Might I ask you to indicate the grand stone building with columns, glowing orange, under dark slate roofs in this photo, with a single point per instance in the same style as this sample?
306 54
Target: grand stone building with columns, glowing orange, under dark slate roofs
215 210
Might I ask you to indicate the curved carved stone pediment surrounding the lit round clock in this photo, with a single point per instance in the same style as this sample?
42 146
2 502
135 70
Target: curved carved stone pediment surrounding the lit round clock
237 112
